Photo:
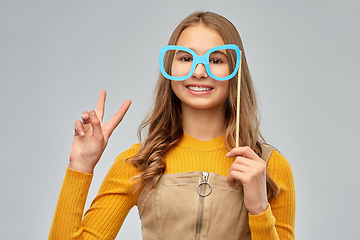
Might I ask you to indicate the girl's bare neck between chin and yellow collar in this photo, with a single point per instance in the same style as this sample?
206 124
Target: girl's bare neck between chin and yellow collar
203 124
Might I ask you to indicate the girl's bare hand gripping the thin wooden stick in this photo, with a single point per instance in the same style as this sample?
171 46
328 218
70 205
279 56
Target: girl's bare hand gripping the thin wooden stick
250 170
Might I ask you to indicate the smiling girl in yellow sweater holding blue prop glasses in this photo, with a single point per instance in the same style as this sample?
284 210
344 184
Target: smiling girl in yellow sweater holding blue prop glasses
186 176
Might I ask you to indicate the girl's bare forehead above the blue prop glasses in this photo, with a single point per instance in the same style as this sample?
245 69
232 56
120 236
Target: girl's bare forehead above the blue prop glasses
200 38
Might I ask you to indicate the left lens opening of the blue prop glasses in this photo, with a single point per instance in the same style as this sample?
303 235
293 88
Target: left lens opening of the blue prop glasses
181 63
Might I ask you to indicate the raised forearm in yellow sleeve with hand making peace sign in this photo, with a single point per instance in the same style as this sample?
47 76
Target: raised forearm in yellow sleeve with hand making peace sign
90 139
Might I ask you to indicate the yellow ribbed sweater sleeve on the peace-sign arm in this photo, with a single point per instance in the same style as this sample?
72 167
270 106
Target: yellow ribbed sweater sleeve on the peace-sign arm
107 211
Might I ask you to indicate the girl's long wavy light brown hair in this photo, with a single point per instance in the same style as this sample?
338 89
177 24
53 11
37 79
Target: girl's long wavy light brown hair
163 123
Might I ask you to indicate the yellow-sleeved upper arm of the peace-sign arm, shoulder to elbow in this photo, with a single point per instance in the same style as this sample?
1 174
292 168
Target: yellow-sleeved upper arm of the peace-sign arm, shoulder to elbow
114 200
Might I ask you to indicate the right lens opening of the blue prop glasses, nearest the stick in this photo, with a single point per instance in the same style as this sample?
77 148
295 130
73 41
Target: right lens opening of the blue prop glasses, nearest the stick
222 62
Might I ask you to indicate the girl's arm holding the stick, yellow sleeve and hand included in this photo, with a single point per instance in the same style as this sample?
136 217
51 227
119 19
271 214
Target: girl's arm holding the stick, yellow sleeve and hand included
267 220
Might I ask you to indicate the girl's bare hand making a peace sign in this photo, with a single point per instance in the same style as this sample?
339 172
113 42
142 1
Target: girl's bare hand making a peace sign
92 135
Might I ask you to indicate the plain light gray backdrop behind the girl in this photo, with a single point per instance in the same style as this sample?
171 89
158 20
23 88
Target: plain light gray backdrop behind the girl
55 57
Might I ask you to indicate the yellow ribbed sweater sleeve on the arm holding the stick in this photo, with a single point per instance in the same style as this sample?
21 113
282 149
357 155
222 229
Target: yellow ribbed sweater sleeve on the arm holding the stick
278 221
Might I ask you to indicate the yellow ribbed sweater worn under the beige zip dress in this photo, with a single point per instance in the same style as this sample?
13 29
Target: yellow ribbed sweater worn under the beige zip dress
115 197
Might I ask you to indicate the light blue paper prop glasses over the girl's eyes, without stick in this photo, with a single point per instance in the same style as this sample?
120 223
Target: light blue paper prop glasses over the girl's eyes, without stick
218 61
